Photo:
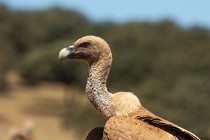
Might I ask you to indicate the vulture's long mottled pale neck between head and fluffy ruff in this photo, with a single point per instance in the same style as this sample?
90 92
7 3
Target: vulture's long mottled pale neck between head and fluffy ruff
96 86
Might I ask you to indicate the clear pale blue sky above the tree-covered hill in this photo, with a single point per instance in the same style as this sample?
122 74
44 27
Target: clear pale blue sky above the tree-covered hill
184 12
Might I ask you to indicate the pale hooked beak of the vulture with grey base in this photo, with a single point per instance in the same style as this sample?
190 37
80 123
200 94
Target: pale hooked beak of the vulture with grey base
65 53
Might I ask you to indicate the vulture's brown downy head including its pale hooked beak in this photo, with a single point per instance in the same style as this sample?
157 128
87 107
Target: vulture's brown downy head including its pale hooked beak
87 48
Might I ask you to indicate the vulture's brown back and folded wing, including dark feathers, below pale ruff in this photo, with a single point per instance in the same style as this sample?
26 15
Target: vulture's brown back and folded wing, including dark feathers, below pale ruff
144 125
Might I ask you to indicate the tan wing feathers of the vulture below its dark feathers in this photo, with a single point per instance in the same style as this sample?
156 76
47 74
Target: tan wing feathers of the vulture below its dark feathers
130 128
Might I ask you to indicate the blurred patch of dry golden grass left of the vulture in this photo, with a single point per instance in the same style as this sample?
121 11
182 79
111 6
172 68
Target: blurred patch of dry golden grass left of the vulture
41 104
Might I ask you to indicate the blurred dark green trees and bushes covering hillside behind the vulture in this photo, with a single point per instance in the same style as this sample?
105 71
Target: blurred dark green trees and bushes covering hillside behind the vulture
165 65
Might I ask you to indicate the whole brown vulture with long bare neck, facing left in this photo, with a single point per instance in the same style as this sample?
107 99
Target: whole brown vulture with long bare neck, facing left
127 119
